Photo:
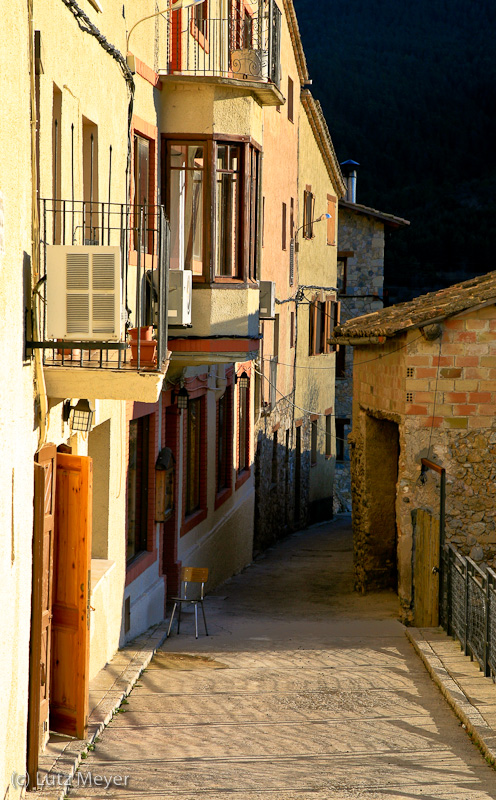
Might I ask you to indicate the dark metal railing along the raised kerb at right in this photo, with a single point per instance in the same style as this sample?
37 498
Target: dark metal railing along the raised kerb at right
468 607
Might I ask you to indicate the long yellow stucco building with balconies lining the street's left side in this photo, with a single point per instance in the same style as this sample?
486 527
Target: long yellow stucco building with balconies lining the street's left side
156 309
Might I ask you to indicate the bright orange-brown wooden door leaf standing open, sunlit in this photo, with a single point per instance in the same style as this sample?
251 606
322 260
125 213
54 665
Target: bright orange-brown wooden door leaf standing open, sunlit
71 596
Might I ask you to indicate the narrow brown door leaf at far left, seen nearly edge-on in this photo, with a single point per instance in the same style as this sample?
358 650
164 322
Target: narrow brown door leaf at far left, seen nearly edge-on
41 606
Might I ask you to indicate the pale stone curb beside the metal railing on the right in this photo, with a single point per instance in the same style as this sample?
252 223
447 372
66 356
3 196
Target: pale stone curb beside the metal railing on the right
478 729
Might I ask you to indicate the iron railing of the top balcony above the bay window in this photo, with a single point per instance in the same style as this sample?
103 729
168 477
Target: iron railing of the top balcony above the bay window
242 45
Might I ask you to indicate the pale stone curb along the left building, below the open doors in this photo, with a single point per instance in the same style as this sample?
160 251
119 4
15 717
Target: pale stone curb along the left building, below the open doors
59 778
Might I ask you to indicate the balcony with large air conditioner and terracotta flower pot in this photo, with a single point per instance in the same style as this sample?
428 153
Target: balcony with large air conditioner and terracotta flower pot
104 272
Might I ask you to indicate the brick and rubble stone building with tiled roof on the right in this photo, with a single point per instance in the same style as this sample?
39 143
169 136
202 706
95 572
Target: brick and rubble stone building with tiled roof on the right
423 388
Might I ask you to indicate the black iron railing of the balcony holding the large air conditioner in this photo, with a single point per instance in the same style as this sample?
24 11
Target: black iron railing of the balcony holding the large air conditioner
142 235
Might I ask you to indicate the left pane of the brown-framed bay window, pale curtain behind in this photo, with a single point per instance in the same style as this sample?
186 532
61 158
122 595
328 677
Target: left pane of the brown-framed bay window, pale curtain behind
186 206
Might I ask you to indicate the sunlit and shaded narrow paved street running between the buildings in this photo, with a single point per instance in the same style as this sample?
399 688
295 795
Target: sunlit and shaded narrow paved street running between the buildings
304 689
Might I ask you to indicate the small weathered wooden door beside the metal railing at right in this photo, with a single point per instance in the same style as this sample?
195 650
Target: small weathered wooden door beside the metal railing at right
426 569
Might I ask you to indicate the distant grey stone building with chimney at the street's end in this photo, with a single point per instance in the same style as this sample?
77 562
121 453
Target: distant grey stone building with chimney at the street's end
361 291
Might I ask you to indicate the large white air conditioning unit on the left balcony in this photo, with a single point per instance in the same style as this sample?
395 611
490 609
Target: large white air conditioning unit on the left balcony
83 293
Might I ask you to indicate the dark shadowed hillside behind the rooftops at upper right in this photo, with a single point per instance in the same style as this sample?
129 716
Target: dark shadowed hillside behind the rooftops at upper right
409 91
